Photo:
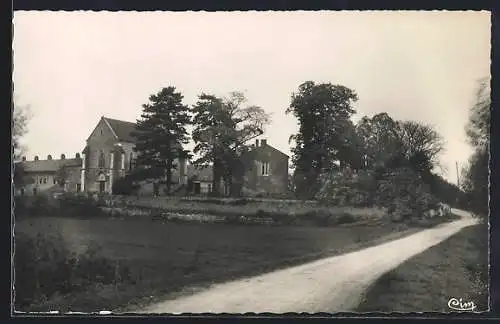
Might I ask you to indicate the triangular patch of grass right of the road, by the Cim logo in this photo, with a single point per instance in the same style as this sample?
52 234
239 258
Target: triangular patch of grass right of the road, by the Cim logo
428 281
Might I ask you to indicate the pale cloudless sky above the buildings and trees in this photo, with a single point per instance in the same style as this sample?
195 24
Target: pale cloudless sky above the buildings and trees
71 68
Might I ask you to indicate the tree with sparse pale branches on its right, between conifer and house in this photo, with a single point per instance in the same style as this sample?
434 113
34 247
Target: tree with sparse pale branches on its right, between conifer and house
223 127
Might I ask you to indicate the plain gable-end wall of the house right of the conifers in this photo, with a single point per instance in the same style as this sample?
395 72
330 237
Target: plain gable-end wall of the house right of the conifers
276 182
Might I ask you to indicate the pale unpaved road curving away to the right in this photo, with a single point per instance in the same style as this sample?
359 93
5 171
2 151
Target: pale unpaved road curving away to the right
334 284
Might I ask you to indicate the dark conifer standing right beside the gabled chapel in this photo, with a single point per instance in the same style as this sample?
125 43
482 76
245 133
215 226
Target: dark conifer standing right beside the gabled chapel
160 133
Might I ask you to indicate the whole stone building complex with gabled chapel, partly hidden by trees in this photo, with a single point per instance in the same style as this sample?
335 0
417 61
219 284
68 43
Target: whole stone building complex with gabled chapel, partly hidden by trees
109 154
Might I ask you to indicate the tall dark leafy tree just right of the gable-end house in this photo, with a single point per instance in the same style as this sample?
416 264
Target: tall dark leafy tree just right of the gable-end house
323 112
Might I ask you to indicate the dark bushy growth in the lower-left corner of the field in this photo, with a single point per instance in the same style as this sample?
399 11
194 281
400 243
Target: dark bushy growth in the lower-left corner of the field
44 267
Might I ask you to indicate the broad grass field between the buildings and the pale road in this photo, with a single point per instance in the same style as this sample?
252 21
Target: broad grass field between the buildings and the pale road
168 258
